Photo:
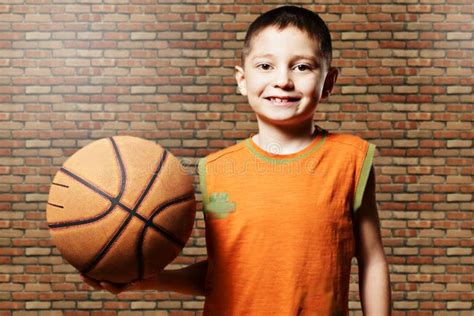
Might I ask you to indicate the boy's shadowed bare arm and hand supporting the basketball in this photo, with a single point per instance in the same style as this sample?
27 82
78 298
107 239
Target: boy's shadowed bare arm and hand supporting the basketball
188 280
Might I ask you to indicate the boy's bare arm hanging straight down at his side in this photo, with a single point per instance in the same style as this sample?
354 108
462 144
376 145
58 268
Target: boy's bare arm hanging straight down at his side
374 278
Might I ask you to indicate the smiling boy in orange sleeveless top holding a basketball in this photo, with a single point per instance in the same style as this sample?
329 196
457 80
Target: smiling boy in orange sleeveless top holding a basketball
288 208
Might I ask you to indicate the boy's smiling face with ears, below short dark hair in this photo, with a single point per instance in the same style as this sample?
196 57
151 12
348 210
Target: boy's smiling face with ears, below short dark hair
283 77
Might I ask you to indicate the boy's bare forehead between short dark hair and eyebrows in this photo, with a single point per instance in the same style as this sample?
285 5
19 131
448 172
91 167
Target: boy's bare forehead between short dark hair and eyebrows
288 39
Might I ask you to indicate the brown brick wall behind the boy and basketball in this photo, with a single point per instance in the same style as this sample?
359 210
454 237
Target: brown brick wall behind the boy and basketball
75 71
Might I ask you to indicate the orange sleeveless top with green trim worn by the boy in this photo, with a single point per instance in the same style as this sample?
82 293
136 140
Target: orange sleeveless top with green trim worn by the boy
279 227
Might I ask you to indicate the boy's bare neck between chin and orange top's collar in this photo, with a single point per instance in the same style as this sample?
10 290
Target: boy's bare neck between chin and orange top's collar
284 140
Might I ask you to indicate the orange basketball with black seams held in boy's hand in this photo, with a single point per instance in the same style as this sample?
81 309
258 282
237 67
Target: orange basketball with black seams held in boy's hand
121 209
